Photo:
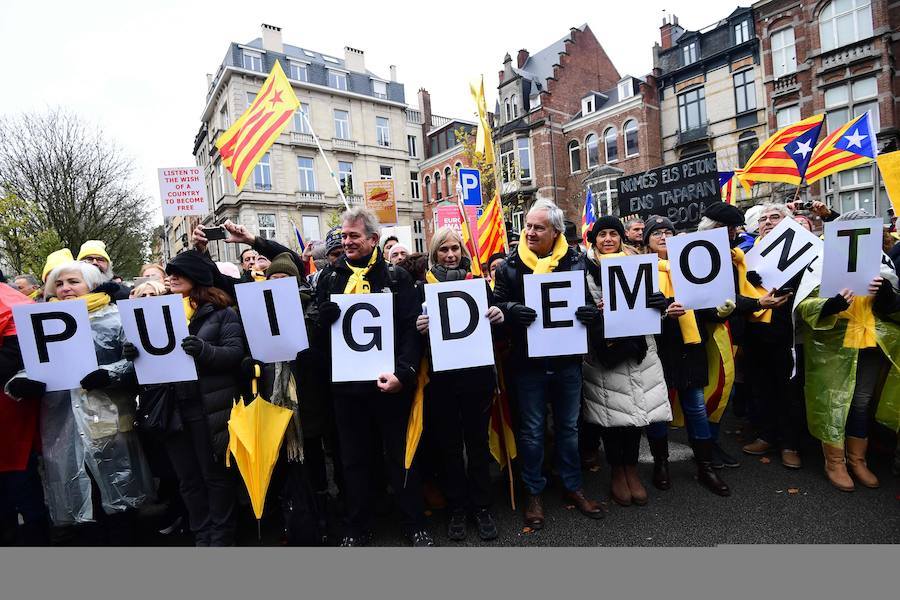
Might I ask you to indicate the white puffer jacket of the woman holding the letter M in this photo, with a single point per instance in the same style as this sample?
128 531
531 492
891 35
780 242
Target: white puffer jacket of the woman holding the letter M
629 394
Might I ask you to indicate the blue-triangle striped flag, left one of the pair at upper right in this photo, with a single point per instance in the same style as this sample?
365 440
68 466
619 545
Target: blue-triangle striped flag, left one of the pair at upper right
784 157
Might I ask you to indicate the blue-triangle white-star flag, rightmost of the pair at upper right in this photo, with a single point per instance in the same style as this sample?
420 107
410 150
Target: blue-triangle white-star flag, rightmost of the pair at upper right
847 147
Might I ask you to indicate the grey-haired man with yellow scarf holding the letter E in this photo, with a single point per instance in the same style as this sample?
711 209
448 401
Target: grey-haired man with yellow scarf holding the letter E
541 380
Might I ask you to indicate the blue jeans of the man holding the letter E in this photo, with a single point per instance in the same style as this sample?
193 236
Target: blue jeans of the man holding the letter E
562 387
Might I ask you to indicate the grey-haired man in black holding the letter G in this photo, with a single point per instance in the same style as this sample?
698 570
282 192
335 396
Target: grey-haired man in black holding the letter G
367 411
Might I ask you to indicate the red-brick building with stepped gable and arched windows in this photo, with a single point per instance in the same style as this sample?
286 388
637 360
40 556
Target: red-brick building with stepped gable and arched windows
566 120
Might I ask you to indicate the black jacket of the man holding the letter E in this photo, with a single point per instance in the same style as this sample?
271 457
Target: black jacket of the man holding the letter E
509 289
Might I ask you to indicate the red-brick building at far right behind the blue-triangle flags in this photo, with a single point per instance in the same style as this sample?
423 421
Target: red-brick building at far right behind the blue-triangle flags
834 57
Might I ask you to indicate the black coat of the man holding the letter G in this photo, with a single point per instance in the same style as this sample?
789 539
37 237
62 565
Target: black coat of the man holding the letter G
407 341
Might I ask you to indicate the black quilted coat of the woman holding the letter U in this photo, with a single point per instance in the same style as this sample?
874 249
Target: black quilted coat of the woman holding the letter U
218 366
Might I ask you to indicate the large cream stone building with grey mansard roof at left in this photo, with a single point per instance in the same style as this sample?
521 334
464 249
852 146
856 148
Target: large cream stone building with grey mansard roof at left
362 120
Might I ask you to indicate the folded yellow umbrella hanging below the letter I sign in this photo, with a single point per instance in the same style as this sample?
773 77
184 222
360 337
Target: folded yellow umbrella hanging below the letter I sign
255 435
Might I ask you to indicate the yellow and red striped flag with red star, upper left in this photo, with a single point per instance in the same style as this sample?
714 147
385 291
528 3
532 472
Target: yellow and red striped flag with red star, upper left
251 136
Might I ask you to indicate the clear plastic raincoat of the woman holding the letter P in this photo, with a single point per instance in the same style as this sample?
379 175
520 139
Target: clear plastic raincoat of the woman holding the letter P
94 430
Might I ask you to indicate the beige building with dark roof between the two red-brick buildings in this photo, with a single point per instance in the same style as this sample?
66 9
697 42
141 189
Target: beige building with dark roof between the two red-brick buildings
711 93
